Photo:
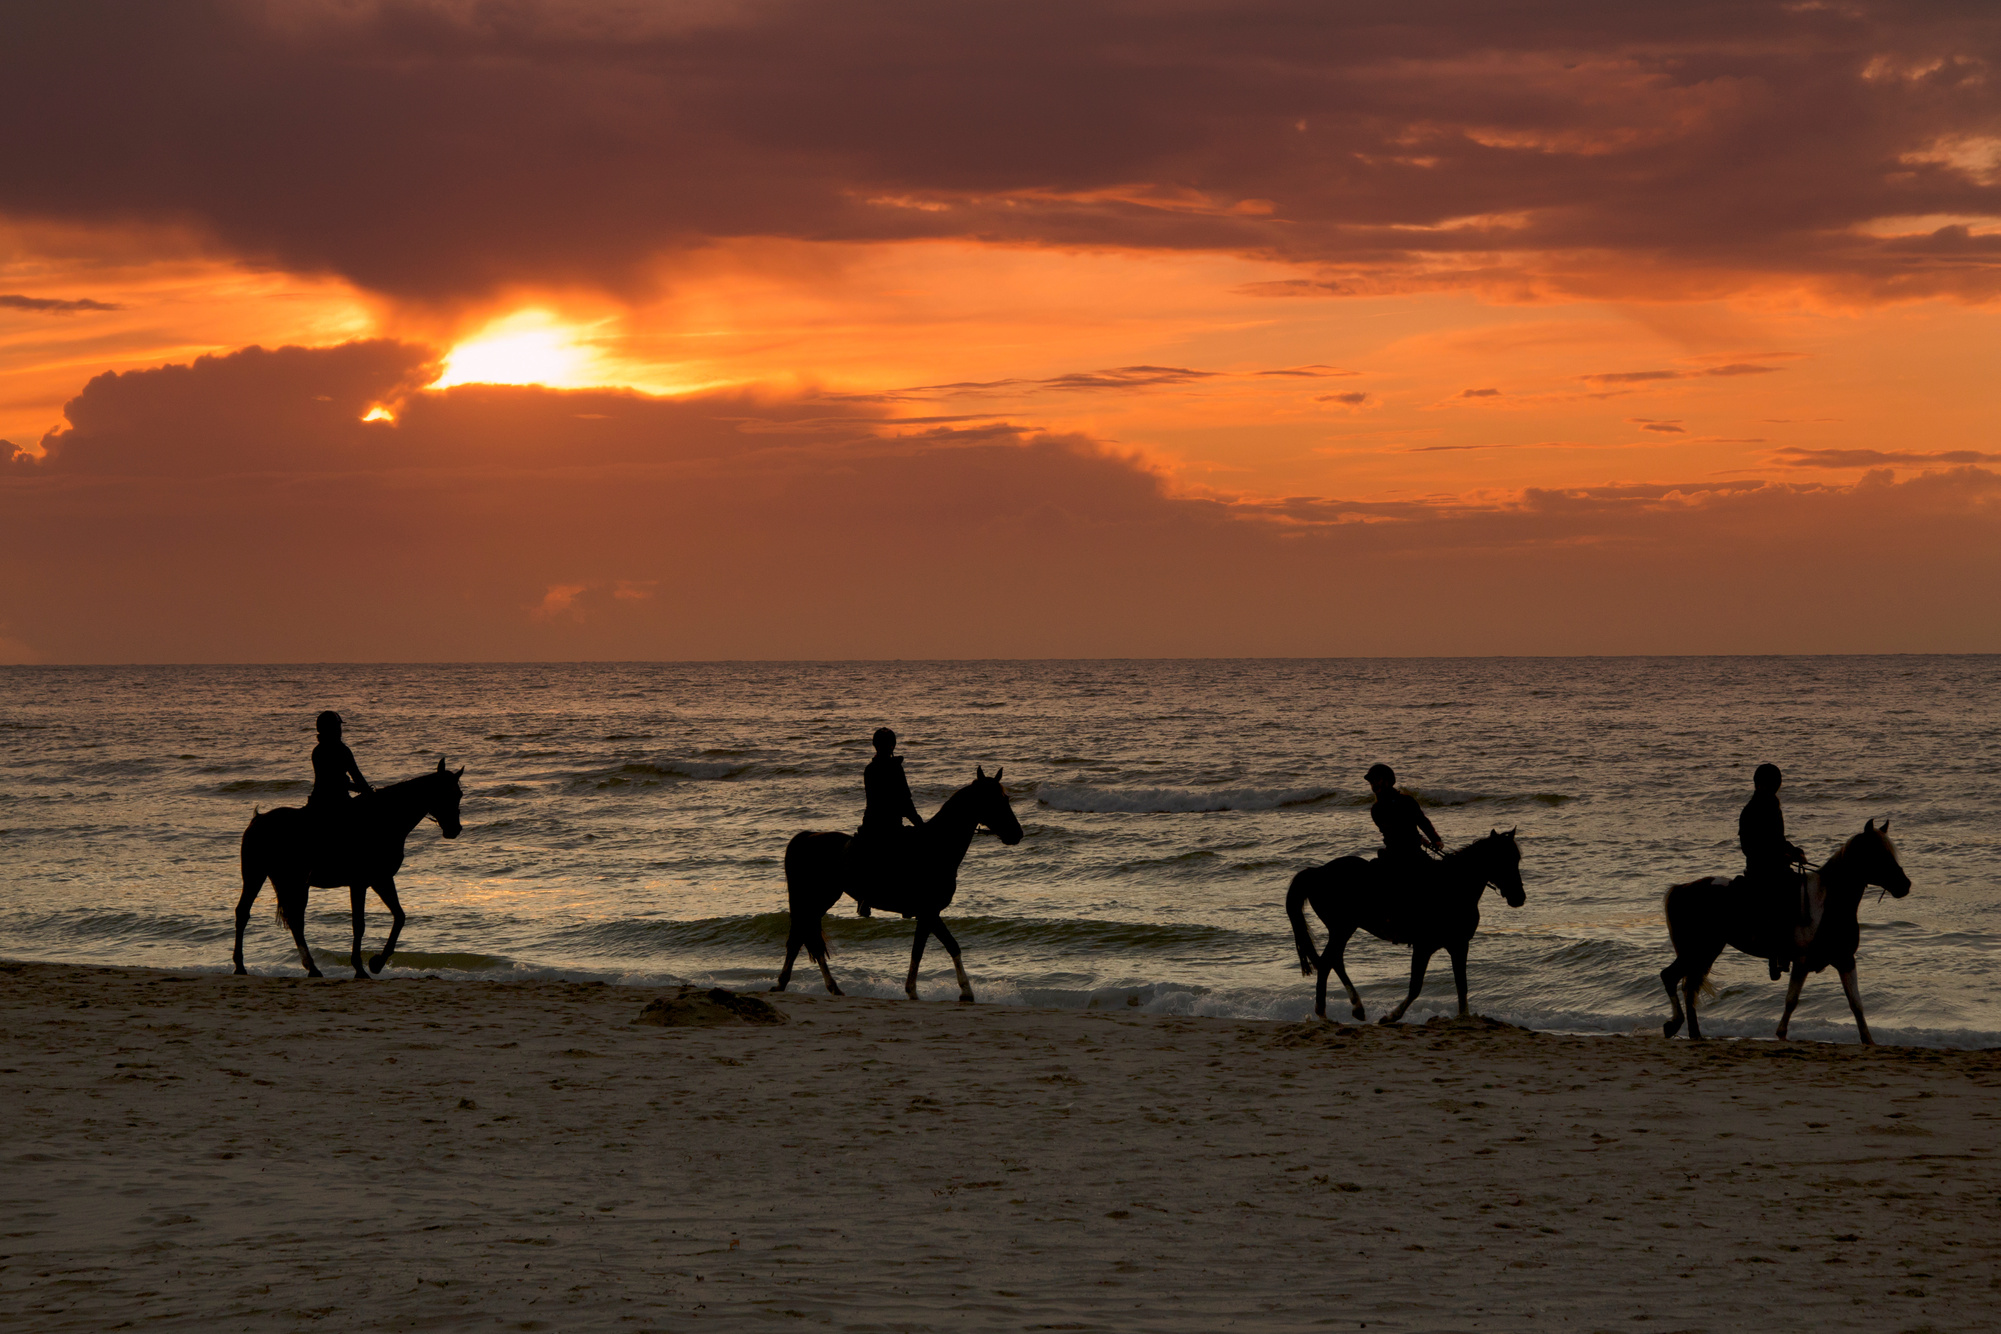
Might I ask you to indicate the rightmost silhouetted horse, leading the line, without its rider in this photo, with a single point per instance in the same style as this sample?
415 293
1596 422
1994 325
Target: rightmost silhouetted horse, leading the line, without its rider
1714 913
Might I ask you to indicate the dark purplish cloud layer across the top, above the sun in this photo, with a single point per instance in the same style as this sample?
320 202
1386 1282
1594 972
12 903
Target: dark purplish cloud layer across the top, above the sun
449 149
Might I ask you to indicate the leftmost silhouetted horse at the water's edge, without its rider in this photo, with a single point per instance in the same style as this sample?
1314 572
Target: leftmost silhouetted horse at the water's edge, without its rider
287 849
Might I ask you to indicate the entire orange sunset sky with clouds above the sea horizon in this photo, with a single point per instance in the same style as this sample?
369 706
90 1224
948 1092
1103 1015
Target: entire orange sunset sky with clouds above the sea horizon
587 329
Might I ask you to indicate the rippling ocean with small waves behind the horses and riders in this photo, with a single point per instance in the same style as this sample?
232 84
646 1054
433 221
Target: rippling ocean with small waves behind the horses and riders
627 821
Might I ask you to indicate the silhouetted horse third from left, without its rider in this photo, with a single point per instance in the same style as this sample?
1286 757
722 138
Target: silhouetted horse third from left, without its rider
1436 915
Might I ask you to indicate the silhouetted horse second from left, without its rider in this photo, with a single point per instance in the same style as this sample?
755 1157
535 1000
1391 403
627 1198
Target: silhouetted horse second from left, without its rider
921 885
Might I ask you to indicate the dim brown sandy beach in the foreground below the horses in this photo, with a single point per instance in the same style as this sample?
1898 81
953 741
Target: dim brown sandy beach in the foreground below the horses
259 1153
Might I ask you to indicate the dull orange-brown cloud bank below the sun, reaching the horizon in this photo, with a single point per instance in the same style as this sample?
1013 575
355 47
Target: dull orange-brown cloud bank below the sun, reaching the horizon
187 511
